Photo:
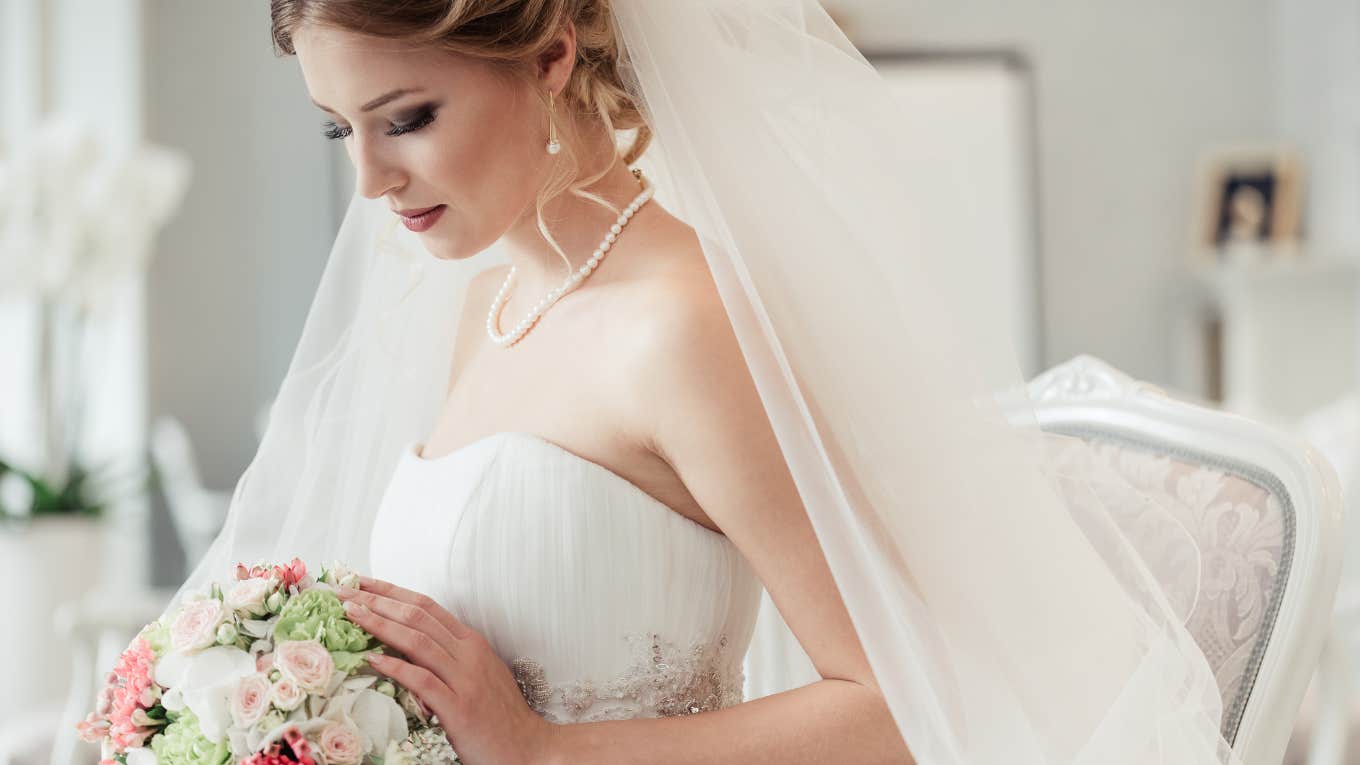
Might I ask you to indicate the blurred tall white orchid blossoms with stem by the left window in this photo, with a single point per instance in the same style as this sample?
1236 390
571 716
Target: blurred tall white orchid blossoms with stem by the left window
78 220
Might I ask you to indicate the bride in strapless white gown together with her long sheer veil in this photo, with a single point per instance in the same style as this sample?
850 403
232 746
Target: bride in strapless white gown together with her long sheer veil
632 316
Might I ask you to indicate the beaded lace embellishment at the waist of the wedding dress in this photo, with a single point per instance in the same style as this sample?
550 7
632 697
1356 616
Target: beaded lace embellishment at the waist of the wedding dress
663 681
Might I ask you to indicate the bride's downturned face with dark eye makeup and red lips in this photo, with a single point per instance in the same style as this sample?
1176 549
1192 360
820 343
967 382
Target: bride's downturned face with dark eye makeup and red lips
460 135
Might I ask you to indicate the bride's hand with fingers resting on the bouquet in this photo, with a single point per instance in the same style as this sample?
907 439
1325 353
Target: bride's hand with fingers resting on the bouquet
454 670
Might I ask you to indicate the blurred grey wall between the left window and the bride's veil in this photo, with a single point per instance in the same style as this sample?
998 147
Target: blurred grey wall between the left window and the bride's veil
240 265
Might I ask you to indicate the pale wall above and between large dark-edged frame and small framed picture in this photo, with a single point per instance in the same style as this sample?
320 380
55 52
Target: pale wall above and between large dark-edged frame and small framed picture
1129 93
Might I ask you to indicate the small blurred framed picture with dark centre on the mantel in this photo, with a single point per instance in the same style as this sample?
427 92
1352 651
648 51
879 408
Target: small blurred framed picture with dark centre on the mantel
1251 205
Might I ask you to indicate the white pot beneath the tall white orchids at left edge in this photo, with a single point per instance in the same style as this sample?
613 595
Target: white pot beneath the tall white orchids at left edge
44 563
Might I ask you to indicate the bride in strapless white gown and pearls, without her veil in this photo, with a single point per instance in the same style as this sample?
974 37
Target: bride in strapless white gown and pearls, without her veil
649 446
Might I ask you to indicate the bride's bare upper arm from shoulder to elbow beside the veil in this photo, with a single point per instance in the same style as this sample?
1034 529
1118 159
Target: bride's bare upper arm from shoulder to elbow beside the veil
713 429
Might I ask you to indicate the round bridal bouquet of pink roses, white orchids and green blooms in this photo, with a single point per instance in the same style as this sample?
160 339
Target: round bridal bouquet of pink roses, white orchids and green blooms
263 670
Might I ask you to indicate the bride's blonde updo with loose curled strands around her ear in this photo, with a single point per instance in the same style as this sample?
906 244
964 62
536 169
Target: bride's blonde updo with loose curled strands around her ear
513 33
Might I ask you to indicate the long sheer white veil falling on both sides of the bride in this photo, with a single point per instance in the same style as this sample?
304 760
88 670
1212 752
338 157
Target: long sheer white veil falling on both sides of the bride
1004 613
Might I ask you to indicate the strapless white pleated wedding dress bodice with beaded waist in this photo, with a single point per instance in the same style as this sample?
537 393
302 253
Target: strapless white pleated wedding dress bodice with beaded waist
605 602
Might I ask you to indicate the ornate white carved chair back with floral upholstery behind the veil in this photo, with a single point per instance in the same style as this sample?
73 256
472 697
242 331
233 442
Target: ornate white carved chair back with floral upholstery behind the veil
1265 511
